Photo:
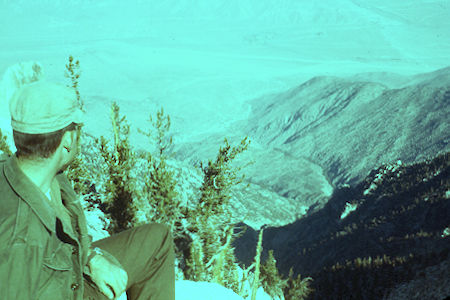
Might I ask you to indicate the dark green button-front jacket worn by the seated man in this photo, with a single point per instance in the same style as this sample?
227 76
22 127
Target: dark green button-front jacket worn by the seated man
35 263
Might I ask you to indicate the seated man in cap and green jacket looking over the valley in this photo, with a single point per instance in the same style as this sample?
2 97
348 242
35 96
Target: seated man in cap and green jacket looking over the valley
45 250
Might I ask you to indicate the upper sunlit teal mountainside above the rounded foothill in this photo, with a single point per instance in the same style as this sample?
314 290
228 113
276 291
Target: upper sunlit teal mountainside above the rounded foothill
336 122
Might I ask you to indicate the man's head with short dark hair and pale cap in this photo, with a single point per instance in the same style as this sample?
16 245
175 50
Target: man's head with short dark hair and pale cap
46 121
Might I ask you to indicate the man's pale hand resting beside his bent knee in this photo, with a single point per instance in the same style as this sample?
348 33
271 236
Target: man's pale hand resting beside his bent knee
110 279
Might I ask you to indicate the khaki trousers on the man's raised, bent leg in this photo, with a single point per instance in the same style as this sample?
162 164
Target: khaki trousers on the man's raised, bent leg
146 253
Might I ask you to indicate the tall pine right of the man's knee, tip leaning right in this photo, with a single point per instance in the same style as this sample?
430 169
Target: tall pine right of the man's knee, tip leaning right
210 220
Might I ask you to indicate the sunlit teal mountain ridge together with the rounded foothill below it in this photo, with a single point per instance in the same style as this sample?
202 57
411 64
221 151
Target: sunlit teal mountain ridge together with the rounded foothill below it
329 132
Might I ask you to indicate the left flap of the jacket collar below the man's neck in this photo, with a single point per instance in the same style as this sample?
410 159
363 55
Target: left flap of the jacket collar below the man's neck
29 192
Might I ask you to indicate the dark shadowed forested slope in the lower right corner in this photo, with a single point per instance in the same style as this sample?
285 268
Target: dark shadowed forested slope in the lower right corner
397 231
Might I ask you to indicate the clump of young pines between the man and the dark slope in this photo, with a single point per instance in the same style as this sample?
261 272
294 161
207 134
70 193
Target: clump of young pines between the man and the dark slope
205 222
